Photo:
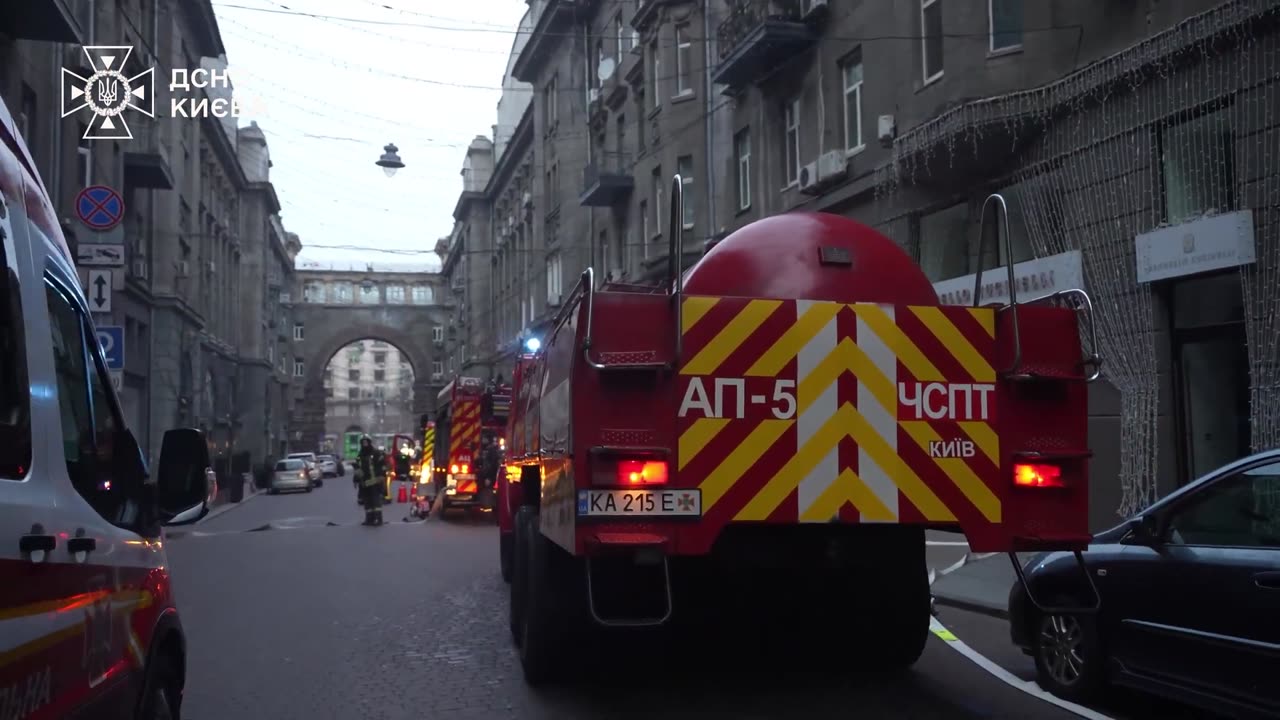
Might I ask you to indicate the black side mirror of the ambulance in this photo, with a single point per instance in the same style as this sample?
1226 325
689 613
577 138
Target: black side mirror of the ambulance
186 485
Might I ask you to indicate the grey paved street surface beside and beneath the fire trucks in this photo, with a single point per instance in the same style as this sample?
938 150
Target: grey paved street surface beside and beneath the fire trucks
294 610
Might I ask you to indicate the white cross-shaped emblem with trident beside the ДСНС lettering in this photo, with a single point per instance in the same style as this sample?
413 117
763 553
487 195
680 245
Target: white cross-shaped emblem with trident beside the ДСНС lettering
109 93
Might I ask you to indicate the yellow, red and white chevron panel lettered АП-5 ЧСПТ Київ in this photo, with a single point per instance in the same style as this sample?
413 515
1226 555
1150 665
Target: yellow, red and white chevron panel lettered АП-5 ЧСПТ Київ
854 413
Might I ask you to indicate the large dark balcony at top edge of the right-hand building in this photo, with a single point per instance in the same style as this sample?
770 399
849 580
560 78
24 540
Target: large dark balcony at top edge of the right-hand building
760 37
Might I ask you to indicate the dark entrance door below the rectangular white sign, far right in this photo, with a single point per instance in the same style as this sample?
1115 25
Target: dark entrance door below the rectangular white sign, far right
1212 372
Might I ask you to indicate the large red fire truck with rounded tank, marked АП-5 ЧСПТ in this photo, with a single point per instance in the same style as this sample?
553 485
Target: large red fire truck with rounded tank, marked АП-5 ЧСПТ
794 413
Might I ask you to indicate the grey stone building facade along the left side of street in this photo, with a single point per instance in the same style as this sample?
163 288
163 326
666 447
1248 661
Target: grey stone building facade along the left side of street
200 233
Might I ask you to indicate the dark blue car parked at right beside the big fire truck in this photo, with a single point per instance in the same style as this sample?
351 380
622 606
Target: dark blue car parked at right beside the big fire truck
1190 600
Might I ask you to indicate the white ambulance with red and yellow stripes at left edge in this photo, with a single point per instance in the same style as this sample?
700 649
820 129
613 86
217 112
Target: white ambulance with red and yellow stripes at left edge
89 627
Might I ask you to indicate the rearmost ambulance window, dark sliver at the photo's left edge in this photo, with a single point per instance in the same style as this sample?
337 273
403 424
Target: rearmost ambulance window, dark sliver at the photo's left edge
15 389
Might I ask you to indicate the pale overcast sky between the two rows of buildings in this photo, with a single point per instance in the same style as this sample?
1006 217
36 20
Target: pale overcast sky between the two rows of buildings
330 94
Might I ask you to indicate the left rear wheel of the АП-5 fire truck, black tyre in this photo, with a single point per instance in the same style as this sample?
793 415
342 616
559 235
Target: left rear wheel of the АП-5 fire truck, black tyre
552 608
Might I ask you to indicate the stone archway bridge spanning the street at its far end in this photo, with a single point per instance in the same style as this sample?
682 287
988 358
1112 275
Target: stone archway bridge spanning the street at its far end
335 313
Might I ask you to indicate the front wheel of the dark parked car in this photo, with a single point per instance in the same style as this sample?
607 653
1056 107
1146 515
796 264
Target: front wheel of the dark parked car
1069 660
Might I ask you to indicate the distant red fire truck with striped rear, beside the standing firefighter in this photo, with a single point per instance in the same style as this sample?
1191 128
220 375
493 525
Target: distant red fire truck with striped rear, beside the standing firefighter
467 409
